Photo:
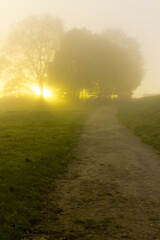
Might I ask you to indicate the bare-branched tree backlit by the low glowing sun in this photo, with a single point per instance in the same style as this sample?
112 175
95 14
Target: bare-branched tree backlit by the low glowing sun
31 46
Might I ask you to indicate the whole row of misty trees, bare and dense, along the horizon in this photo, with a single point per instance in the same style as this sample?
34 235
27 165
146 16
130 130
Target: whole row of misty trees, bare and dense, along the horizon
38 50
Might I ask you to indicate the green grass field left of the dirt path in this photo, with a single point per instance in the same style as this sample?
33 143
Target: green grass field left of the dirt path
35 145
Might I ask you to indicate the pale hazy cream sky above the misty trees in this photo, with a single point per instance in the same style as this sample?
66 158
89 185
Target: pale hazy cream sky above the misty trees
137 18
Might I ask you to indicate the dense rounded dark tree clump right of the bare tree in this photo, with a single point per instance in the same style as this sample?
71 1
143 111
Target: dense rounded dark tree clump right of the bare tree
94 62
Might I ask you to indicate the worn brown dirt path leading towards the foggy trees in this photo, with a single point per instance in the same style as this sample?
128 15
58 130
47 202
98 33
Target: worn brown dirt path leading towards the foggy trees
111 191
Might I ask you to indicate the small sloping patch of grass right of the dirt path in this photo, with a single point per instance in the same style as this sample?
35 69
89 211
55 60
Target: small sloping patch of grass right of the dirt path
142 116
